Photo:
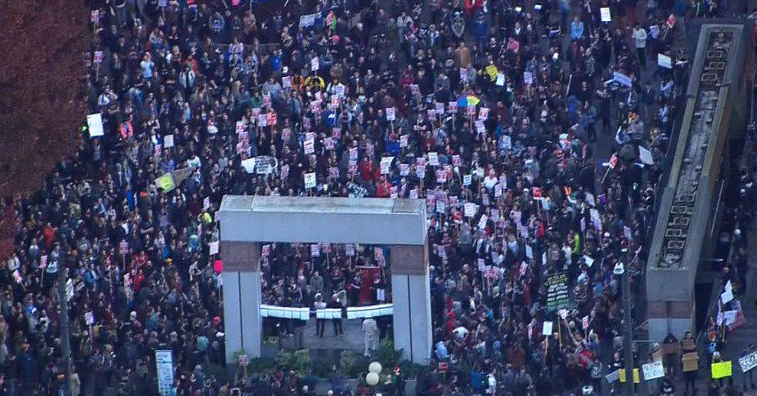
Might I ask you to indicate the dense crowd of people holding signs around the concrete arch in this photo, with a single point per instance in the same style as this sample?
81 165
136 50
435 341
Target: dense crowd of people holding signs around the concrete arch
533 131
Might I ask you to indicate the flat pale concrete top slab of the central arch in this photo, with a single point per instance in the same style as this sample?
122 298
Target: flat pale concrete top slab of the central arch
323 220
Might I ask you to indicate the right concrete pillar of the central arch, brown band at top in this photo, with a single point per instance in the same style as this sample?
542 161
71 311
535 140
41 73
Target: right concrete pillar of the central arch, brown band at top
411 298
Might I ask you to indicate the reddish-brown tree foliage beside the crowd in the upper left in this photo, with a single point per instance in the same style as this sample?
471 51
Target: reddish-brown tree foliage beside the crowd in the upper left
42 43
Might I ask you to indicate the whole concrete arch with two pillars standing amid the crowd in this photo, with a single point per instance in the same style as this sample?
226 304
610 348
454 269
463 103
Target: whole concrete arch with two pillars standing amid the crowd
248 221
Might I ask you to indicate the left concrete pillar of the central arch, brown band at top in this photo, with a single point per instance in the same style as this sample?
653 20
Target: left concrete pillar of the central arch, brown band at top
241 298
